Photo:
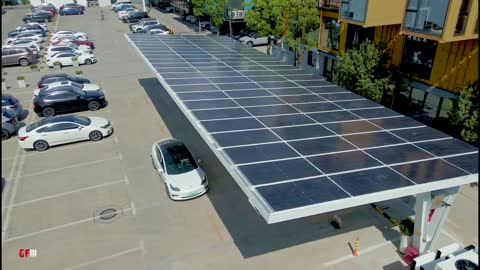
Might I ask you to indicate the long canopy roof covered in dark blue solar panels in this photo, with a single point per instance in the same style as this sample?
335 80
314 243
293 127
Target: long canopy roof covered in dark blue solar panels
296 144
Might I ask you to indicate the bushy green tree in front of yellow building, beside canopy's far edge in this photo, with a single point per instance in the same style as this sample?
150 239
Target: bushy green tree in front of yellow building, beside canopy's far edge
360 70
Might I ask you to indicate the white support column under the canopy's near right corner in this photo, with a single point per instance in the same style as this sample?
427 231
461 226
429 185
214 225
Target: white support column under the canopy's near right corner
426 232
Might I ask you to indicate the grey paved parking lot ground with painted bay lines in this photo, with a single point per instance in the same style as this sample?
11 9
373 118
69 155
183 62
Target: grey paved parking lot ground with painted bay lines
53 201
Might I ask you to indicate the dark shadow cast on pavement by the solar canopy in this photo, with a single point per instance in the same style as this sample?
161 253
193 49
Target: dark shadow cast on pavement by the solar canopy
251 234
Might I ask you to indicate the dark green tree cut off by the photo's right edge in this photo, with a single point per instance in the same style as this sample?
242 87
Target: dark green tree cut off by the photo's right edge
463 113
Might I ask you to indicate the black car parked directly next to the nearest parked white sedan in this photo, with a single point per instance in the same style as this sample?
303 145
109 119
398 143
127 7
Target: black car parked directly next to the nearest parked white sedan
65 99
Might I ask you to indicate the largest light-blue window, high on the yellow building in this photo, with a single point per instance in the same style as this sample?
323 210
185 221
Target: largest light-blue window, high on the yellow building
426 16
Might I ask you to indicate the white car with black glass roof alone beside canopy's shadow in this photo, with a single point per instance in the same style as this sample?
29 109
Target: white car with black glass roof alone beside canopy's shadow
182 176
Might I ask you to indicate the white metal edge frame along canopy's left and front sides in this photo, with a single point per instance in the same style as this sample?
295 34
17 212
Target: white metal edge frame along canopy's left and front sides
271 216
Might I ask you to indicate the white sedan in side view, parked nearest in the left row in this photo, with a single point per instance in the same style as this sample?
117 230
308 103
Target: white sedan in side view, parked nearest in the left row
63 129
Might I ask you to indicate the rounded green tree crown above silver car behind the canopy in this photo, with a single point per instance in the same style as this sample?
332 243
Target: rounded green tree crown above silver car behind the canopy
265 17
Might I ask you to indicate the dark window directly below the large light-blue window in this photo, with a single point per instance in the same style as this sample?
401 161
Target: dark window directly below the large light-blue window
418 56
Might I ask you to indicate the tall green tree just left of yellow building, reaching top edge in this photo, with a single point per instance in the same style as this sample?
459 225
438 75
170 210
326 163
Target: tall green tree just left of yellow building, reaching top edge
299 18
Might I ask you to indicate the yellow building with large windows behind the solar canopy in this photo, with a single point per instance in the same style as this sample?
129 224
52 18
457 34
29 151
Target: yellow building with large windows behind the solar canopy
434 43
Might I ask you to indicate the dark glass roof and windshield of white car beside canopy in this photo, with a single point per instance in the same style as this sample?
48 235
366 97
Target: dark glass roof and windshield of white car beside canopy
178 159
